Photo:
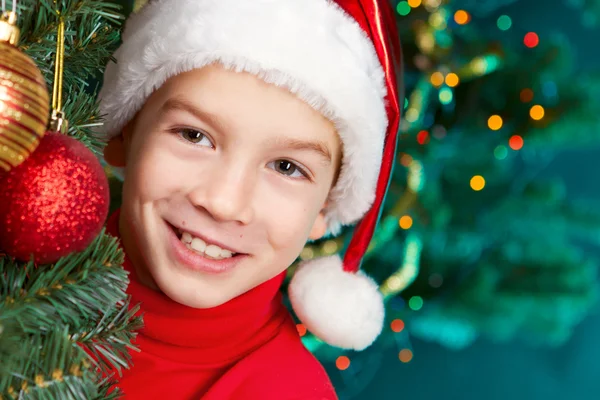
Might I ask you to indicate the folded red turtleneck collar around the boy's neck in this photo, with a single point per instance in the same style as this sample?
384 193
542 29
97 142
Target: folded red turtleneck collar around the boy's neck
218 335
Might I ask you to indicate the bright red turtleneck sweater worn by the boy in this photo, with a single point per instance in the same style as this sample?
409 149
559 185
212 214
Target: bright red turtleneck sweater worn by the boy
245 349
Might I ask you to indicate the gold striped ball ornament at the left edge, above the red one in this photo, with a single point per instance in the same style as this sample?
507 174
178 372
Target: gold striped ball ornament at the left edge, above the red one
24 99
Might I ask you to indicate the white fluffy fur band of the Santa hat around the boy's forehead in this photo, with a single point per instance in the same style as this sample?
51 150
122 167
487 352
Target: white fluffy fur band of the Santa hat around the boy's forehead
311 47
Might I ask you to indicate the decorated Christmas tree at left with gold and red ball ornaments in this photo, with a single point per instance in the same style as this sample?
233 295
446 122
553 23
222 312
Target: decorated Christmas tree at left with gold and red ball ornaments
64 323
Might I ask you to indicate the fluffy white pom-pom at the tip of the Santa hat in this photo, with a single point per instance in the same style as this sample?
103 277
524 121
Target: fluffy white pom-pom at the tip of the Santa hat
344 309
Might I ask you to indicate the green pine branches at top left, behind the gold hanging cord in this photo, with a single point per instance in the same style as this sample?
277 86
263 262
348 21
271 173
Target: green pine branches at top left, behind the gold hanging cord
92 32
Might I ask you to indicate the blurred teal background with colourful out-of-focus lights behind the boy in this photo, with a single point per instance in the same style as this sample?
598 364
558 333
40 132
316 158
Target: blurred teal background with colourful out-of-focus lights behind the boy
487 249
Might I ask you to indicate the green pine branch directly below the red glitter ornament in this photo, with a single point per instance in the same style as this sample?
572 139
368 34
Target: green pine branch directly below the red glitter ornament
75 289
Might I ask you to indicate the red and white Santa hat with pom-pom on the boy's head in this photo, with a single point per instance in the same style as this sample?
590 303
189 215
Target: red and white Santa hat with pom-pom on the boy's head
342 57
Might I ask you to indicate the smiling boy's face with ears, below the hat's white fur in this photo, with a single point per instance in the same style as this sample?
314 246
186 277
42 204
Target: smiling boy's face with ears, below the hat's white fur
231 160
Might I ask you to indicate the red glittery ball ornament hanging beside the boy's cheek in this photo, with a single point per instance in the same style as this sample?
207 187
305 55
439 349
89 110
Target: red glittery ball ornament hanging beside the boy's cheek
54 203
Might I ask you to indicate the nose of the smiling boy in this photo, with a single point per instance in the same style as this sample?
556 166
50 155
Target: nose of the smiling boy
226 194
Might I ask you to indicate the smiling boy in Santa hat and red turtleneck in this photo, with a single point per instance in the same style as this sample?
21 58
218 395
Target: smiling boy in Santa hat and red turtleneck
246 128
